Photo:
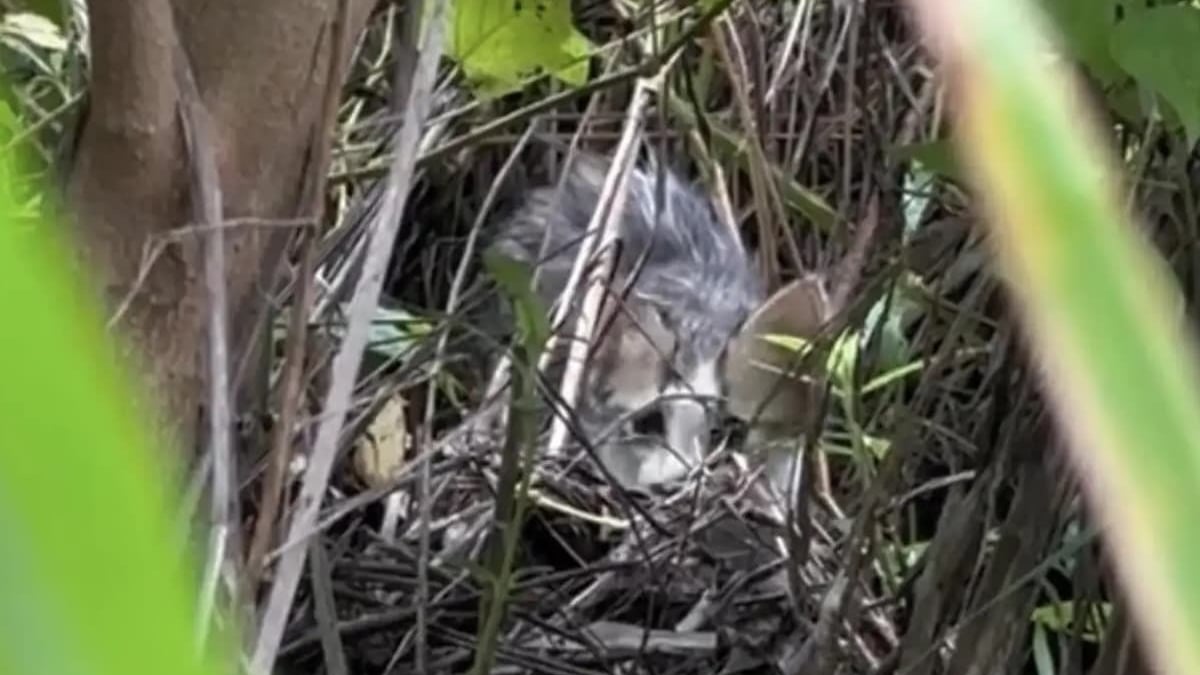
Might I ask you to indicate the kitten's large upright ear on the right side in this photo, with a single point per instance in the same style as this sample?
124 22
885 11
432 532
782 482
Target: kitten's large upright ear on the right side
758 373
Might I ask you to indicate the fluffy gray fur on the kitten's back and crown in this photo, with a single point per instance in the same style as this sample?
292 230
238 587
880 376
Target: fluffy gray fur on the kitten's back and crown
697 272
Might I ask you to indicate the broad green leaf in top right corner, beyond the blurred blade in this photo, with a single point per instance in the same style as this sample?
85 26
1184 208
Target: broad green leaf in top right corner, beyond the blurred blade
1159 47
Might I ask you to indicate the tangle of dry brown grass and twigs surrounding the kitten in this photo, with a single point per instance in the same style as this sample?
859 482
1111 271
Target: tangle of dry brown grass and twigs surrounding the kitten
938 515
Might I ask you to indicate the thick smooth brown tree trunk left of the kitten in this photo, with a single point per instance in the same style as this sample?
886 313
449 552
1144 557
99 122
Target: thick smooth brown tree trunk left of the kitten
260 68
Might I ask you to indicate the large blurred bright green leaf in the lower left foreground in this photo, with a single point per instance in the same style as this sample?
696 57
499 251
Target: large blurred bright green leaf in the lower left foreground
91 572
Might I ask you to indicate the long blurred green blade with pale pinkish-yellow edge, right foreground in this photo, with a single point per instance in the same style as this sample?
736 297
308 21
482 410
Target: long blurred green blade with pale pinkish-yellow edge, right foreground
1119 368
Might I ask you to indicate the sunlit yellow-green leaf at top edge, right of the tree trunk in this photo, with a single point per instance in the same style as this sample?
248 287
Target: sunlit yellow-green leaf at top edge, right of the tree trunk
502 44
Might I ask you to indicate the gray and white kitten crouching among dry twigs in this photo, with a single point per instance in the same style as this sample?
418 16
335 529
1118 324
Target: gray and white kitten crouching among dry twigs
682 322
